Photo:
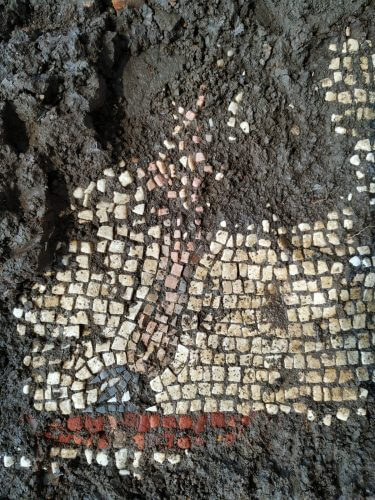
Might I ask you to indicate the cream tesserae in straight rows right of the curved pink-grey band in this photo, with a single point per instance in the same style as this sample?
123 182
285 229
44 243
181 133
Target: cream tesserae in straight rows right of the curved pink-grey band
232 358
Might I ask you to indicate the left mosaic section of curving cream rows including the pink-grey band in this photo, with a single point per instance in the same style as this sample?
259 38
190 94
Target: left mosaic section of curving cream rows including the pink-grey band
116 302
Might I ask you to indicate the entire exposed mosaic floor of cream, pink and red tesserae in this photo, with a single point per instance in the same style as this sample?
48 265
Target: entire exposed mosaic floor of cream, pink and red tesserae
273 318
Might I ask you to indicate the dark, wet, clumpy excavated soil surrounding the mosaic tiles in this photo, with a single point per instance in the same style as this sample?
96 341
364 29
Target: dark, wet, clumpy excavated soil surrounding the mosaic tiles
82 87
